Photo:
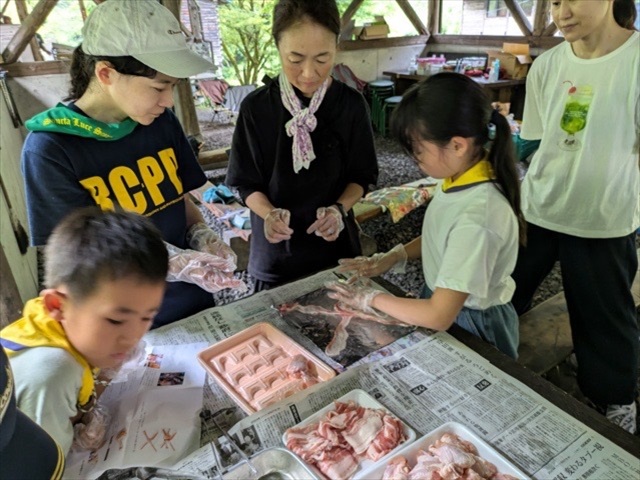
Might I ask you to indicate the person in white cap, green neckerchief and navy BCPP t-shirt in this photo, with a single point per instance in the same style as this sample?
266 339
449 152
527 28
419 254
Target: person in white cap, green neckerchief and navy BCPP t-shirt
117 144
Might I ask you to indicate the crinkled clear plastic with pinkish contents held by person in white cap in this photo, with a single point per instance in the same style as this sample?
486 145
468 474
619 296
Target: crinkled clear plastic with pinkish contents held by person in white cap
209 272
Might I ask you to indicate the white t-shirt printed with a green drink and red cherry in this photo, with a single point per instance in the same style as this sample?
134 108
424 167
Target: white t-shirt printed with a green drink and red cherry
594 191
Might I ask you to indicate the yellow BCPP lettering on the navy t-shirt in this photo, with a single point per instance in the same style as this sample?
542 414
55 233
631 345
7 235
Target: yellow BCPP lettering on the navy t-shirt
152 186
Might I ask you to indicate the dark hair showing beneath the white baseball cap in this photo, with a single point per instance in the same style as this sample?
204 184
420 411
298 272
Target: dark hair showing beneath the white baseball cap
83 66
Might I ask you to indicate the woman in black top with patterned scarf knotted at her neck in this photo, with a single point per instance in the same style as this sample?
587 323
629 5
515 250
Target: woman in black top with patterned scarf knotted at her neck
302 153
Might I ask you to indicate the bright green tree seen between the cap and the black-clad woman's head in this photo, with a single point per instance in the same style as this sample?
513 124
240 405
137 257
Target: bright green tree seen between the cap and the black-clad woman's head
248 49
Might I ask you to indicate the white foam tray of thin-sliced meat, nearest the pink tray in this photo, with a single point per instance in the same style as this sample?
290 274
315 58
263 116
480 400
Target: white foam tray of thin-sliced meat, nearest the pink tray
363 399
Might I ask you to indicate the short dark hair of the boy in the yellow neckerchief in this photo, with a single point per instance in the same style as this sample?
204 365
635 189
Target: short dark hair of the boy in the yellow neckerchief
90 246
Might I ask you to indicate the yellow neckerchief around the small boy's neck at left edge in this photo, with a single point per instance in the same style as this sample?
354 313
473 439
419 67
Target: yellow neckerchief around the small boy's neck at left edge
37 329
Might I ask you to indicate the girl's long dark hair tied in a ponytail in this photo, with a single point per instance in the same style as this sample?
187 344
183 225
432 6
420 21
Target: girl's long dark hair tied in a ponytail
448 105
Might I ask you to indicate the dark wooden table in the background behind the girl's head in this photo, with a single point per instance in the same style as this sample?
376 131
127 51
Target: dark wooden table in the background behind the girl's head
509 90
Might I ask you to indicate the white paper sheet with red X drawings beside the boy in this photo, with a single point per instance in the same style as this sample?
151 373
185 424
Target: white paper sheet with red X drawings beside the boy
152 414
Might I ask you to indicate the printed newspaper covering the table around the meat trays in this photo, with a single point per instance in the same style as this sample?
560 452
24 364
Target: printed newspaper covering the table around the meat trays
425 378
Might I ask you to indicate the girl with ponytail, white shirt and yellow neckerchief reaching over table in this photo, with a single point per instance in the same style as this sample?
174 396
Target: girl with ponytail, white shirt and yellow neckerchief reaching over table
473 225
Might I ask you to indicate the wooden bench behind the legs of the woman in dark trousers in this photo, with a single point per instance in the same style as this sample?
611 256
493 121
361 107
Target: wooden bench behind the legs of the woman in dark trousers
545 333
